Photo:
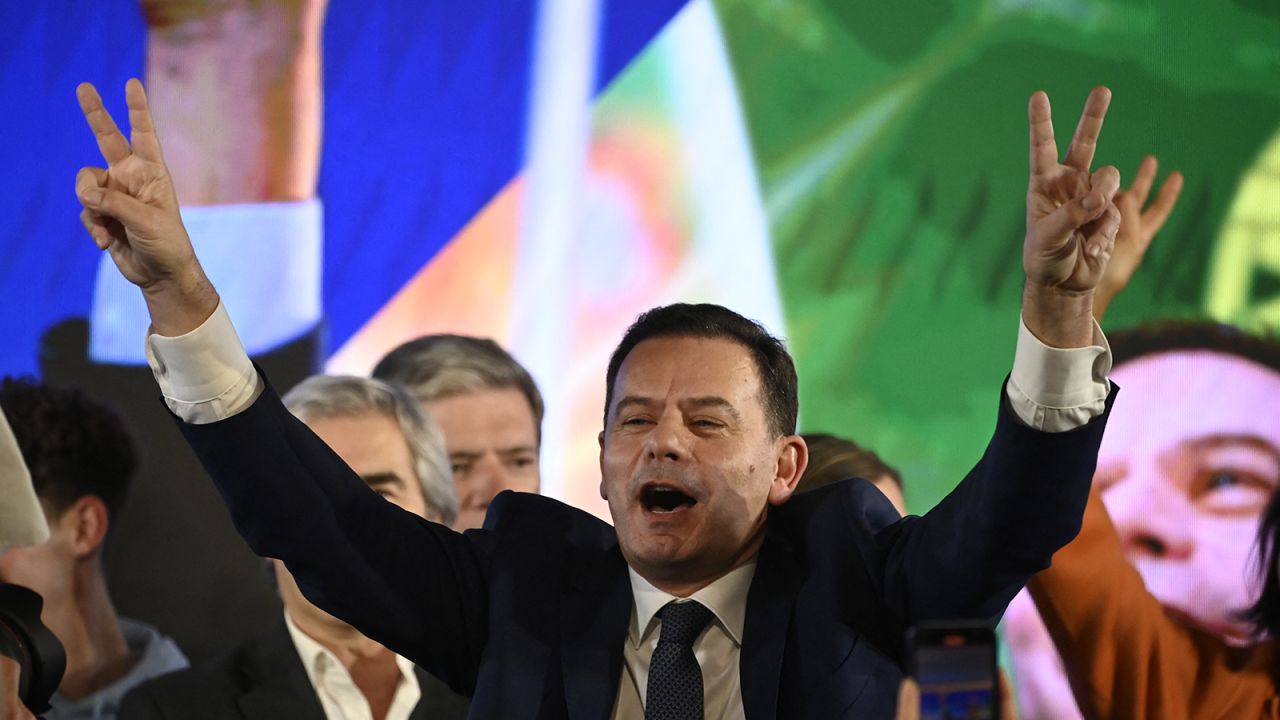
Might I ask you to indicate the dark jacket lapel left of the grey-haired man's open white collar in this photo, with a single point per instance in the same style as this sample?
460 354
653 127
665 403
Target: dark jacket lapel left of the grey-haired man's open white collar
276 682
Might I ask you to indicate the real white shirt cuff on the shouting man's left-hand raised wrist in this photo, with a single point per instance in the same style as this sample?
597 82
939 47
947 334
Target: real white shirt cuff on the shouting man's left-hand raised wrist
205 376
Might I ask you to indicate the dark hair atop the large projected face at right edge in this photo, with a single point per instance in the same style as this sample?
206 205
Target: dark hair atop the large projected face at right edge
1194 336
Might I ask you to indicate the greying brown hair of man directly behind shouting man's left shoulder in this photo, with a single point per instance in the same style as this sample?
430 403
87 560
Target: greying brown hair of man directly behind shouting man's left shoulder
444 366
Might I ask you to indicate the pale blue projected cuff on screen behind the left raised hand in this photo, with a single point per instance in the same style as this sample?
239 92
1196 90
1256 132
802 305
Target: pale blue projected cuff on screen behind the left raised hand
258 256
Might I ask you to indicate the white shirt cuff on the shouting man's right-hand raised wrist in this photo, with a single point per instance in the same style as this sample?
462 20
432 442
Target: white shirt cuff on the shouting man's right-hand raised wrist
1058 390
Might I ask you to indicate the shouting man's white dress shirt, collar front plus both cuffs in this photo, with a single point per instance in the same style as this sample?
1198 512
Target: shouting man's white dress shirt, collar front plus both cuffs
205 376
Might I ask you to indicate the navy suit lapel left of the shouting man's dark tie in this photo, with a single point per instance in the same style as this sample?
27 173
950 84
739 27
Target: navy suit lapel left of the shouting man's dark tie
595 617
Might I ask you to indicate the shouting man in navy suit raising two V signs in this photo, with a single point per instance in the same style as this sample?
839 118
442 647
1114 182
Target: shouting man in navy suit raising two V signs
717 595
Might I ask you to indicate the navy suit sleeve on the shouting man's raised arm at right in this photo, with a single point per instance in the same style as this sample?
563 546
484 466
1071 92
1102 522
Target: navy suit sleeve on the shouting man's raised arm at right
970 557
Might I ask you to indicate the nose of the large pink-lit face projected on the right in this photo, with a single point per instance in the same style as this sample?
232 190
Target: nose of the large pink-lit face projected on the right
1154 521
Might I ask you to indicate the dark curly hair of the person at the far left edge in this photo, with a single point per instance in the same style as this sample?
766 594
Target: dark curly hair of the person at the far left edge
72 445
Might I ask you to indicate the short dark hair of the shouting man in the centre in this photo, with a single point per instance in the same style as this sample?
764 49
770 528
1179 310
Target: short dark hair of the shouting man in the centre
774 363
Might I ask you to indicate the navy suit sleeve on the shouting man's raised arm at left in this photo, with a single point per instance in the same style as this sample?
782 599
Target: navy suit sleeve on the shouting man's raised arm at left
414 586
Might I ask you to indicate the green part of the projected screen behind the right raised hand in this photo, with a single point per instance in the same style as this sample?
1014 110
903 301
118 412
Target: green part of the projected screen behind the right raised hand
892 148
